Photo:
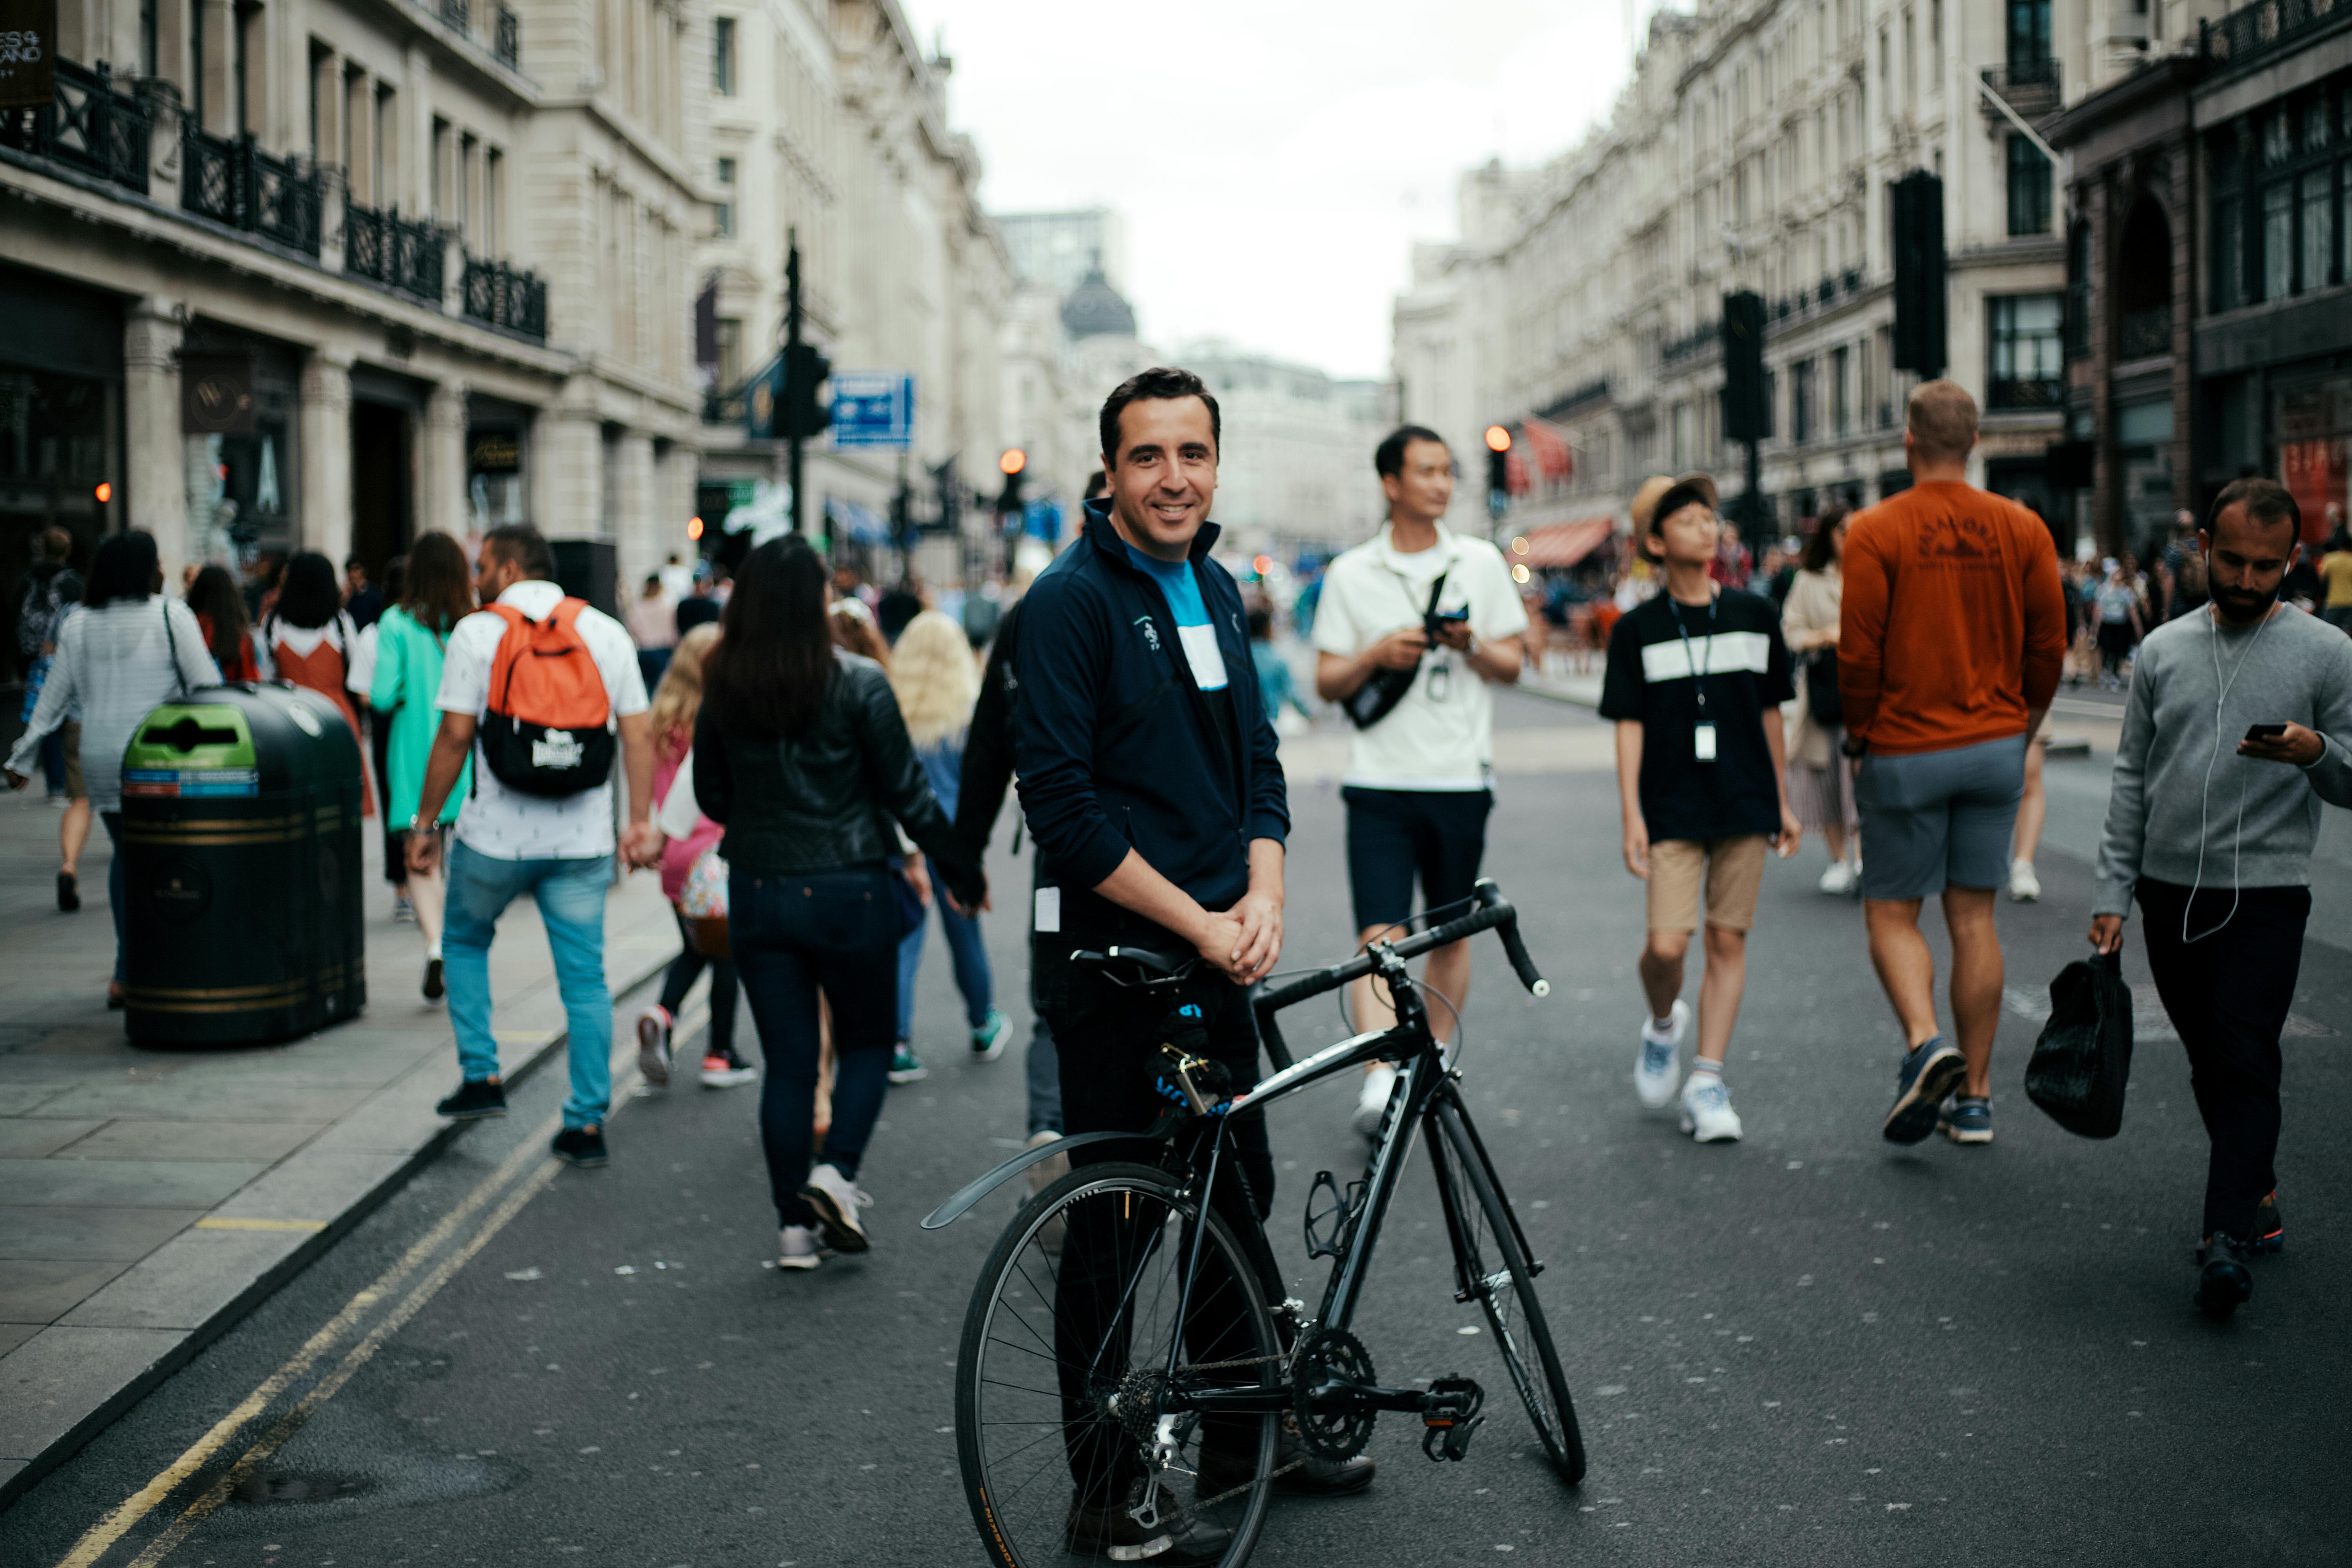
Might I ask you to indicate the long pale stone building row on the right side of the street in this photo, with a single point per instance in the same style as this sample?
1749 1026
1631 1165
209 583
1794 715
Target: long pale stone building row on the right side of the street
1756 149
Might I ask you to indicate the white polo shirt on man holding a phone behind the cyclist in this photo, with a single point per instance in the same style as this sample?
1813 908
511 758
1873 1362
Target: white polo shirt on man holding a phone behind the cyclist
1441 737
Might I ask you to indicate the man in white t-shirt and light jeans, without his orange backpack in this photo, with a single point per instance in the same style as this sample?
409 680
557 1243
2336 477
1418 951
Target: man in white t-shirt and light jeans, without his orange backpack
554 847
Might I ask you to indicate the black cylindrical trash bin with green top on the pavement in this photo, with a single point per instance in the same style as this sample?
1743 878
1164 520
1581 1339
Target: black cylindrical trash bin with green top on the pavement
241 869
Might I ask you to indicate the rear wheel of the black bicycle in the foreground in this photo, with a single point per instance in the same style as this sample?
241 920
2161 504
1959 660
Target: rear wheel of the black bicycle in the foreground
1064 1365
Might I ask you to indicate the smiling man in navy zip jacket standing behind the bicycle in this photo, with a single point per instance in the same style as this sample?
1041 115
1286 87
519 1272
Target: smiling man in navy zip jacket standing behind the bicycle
1151 784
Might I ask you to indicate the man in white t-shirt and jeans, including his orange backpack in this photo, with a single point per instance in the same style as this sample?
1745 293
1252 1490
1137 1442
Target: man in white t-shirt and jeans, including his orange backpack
544 688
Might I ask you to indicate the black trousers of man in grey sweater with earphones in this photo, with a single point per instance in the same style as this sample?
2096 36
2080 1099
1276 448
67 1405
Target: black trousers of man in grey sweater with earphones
2229 996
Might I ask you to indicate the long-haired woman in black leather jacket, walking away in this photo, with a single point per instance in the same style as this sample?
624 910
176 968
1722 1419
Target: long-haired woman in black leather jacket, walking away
803 758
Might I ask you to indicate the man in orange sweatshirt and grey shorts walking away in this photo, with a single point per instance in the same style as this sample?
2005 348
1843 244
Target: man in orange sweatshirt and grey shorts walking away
1949 652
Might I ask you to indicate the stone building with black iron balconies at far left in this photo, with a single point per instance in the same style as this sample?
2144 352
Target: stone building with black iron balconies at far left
314 274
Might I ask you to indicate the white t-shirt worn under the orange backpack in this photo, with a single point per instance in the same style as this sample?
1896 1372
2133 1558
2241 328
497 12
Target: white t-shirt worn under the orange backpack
505 824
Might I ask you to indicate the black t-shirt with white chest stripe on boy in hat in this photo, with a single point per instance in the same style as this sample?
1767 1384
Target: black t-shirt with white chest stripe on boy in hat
1655 676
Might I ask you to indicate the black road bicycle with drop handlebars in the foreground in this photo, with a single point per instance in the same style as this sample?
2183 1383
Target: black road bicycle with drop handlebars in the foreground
1130 1358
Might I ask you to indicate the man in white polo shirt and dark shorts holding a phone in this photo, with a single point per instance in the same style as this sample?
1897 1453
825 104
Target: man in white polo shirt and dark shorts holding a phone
1419 777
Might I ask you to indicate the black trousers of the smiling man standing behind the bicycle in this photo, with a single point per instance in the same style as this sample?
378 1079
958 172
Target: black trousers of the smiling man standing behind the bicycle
1109 1040
